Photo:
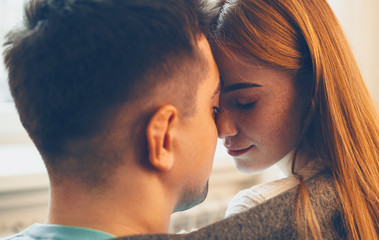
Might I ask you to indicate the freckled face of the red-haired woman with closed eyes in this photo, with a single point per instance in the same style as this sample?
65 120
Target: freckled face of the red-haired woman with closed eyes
260 112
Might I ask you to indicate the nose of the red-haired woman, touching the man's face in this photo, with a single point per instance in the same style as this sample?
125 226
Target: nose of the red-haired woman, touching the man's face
225 124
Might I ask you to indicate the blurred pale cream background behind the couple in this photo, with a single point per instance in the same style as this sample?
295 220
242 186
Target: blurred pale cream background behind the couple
23 179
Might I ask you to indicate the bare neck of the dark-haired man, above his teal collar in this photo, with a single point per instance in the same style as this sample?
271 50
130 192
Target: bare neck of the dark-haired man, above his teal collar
126 210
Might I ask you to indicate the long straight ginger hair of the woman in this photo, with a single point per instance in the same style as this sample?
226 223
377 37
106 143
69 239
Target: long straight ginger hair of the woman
305 36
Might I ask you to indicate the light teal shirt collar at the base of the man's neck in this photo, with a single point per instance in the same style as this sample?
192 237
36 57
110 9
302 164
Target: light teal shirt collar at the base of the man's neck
59 232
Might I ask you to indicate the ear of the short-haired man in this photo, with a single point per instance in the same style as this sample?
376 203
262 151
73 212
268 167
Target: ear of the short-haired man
159 137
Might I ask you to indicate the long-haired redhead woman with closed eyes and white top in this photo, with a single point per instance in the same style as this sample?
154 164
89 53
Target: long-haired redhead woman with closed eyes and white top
293 95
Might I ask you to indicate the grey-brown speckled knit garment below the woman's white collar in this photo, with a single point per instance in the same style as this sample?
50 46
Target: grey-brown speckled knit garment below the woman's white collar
275 218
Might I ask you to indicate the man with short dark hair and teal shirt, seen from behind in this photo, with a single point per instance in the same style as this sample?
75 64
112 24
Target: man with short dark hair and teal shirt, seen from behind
119 98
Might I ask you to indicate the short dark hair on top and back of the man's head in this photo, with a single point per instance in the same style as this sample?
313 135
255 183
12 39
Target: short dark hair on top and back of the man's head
74 60
